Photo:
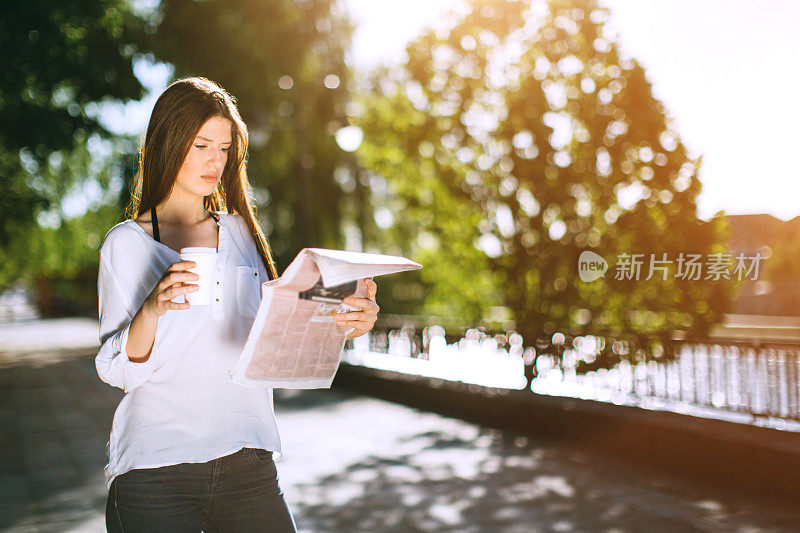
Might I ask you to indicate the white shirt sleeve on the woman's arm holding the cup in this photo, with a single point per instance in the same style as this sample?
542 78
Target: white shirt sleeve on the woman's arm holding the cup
116 314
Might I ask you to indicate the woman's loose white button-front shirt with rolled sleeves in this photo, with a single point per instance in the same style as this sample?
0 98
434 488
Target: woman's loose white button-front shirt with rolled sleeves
180 406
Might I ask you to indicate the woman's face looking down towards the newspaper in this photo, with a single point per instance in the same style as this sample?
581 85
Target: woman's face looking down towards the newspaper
208 153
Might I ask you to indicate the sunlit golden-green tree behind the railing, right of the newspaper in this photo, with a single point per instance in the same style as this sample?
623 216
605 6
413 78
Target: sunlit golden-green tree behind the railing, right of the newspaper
517 138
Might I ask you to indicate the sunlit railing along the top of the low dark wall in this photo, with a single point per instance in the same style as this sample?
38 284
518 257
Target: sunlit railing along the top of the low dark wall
758 379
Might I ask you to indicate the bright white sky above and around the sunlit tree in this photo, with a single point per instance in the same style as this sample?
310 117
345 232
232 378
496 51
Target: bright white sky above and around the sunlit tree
725 69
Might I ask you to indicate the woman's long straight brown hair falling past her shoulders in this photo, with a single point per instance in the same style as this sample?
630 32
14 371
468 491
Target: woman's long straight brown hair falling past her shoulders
178 115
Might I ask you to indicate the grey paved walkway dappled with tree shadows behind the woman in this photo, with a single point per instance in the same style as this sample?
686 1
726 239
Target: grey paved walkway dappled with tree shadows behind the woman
351 464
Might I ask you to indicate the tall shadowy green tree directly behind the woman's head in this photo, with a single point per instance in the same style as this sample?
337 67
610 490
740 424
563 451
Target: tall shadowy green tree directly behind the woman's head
284 62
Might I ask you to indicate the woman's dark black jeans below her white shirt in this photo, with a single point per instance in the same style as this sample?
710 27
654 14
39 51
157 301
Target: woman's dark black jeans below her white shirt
238 492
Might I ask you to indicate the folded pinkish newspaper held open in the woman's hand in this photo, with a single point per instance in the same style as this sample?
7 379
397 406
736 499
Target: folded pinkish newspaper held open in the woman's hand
295 342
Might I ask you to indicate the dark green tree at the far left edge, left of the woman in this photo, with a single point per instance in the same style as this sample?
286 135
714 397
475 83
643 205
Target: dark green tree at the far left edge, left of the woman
60 60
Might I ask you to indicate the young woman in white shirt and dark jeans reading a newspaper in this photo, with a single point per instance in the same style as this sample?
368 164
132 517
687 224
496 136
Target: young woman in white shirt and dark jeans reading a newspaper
190 449
